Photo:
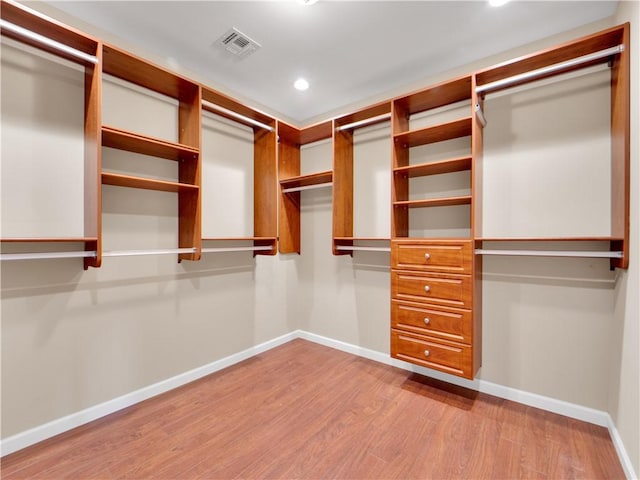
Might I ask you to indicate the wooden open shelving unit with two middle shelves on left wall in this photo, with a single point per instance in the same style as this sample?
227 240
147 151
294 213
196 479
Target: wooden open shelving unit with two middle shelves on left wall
186 152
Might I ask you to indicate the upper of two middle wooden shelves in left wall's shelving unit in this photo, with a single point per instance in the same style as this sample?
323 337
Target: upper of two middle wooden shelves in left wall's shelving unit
134 142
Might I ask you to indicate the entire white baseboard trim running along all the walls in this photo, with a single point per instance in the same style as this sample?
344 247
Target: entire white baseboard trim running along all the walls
61 425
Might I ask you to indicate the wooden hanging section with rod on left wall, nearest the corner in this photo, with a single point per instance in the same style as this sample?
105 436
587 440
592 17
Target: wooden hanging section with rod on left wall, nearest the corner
265 201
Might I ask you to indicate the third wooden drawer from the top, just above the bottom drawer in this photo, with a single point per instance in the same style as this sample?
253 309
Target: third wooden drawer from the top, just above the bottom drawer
451 324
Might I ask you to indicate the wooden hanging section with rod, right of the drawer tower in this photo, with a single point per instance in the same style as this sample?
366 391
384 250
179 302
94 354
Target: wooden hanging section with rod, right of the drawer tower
574 55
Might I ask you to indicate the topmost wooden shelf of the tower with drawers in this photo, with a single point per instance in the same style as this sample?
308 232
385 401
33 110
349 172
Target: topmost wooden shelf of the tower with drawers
439 95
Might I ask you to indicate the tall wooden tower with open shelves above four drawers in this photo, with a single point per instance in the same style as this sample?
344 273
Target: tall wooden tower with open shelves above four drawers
435 282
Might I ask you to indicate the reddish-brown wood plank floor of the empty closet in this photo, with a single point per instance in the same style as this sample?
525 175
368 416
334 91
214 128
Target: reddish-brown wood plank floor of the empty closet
303 410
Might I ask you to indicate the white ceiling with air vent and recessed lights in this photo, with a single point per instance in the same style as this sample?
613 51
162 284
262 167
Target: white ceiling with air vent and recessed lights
349 51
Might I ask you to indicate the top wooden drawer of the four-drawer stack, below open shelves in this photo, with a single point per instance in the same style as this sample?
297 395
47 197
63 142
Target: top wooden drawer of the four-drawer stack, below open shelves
445 256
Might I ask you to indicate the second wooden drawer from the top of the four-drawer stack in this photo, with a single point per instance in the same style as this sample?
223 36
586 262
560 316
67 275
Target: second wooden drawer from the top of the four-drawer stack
449 290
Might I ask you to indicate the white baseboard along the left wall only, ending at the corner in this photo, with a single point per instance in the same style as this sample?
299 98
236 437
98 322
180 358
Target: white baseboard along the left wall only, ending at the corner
61 425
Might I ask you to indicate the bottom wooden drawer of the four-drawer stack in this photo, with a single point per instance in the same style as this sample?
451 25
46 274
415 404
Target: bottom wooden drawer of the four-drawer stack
448 357
